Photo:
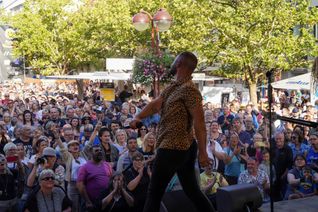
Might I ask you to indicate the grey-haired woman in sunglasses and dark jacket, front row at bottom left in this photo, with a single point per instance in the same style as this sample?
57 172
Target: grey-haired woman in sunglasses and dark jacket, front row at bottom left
48 197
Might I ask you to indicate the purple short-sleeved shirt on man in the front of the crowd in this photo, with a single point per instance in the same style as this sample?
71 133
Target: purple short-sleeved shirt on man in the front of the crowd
95 178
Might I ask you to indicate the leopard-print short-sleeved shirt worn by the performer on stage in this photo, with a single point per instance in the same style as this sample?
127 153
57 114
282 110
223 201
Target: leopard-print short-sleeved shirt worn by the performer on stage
175 126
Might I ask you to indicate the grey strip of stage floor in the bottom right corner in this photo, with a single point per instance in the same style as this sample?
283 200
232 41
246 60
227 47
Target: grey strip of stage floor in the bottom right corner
309 204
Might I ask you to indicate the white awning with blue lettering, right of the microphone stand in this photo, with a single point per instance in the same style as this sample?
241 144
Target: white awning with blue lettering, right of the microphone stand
300 82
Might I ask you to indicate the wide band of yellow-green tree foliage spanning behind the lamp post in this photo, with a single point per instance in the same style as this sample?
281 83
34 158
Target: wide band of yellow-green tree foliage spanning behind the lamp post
246 38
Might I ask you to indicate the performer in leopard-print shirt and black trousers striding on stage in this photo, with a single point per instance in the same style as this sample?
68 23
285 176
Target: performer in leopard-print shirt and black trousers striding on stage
180 107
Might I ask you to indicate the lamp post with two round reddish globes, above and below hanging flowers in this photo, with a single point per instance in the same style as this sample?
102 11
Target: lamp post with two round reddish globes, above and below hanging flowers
160 22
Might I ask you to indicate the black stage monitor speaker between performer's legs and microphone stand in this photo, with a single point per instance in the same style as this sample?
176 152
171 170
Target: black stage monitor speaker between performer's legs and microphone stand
237 198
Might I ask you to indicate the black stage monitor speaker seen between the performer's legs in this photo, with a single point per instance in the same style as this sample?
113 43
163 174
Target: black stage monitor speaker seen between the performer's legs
176 201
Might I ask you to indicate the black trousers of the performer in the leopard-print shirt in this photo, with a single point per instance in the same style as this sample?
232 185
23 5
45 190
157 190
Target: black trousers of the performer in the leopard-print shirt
166 164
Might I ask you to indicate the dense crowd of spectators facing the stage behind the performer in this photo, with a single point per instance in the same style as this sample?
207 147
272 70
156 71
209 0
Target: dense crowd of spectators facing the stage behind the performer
62 153
